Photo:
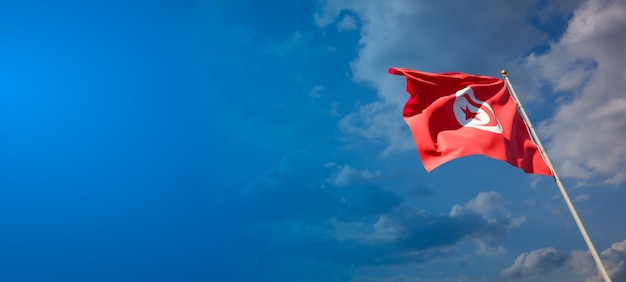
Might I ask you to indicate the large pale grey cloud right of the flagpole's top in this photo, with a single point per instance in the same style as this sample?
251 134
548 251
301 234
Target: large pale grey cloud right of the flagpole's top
585 135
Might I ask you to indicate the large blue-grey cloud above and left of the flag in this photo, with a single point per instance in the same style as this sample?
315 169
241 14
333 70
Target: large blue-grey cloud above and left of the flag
399 33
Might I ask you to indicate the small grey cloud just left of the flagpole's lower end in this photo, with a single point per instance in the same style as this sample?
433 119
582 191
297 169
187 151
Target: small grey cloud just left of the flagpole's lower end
534 263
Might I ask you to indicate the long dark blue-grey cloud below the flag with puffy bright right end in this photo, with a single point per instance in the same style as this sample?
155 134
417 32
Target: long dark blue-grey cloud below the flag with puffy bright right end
410 234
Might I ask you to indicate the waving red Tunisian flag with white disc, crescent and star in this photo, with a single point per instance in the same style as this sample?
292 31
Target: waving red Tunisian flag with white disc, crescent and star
452 115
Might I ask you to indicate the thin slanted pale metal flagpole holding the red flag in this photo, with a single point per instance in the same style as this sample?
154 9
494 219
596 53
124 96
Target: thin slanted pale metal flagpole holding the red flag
581 227
